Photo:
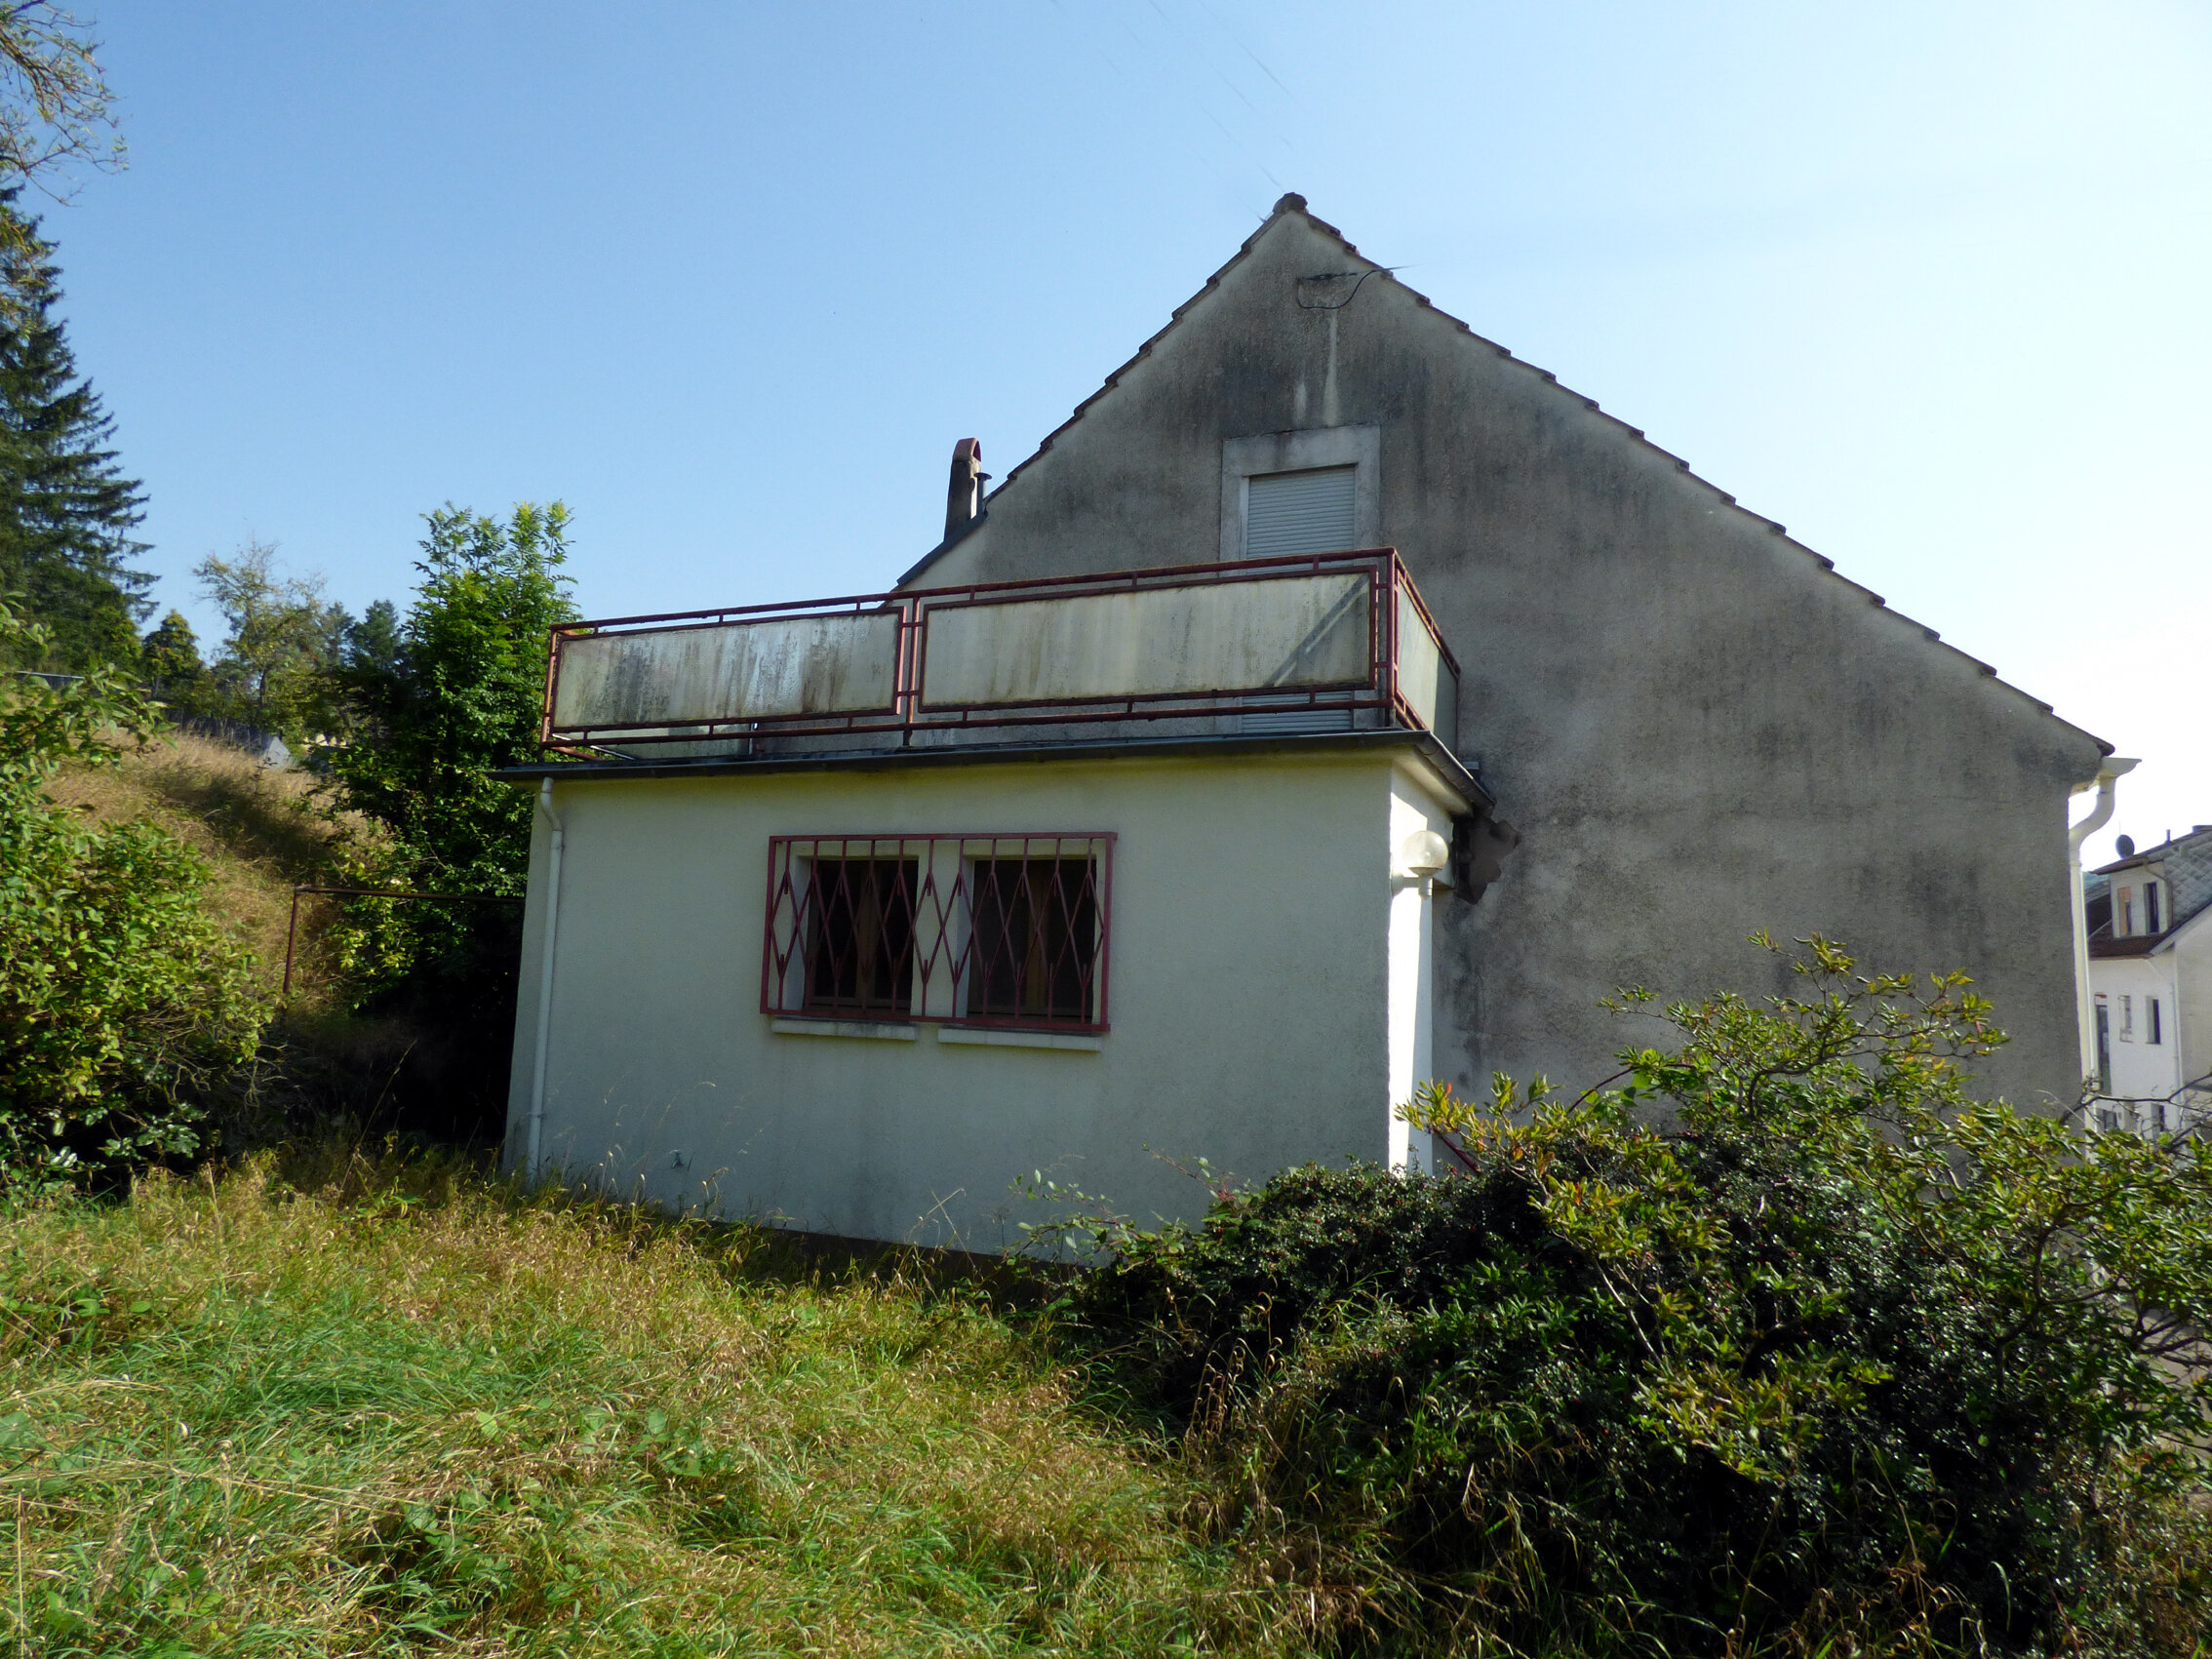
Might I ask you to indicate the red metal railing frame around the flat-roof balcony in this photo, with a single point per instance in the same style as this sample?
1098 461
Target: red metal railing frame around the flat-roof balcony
908 709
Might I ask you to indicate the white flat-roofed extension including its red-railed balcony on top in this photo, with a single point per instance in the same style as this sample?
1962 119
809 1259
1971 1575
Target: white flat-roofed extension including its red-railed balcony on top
857 915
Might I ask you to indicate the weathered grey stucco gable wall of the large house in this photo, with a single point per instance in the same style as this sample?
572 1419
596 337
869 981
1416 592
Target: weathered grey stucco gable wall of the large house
1698 727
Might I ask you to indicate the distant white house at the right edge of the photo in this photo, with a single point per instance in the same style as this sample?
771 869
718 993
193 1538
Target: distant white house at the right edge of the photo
2149 921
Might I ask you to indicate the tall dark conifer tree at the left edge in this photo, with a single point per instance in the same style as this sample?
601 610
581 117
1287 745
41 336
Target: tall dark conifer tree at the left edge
65 505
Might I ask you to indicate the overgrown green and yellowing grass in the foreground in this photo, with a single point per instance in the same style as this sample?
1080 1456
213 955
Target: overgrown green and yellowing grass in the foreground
384 1408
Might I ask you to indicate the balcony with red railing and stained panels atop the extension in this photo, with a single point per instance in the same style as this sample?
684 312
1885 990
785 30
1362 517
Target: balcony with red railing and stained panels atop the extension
1308 643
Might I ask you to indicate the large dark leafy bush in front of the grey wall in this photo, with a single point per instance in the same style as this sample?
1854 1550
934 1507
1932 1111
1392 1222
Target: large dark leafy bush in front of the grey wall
1777 1344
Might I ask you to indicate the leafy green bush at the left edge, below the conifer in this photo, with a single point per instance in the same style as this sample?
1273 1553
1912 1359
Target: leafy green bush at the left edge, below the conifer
121 999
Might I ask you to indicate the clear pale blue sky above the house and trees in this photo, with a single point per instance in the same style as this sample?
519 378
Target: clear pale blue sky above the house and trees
1928 284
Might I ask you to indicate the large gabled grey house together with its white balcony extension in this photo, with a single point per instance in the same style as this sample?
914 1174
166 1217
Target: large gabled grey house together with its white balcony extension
1160 813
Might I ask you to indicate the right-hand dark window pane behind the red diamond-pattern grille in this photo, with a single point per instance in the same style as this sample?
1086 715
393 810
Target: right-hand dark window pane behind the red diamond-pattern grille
1034 948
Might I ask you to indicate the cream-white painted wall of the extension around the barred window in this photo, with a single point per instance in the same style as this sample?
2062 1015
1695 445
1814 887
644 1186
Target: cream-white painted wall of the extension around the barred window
1269 997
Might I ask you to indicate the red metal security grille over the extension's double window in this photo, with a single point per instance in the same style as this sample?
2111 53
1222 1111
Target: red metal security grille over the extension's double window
972 930
